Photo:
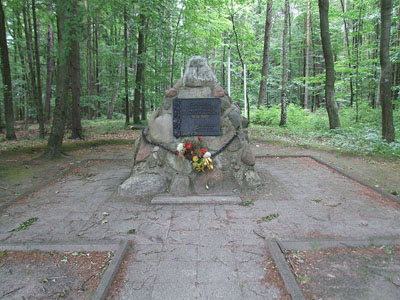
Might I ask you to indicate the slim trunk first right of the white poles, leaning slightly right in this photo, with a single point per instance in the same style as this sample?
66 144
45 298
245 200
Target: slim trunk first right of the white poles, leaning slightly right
265 65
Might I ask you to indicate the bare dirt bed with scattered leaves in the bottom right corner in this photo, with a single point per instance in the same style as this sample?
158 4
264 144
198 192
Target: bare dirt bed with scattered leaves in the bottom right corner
348 273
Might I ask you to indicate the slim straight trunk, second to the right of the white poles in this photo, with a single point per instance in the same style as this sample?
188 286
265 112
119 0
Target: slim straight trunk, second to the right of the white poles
284 65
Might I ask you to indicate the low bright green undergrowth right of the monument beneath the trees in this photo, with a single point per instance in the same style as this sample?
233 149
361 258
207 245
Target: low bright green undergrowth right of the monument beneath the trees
307 128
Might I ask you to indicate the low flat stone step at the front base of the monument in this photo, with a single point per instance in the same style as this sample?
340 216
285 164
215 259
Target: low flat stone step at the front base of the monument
200 199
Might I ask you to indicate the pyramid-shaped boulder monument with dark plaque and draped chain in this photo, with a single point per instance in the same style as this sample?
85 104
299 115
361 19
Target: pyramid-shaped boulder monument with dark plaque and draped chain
196 108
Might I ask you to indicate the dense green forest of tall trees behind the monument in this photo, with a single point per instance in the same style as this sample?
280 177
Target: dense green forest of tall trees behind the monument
84 59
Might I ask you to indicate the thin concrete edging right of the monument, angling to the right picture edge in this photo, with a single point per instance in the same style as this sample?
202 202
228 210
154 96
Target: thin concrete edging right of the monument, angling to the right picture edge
341 172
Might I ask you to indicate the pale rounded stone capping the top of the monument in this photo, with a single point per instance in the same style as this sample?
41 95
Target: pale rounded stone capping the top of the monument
198 73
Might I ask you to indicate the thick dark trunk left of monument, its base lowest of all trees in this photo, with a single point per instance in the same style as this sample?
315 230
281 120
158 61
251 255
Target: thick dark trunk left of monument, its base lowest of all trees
54 145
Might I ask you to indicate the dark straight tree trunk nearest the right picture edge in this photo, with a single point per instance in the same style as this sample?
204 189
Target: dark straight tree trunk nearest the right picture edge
386 72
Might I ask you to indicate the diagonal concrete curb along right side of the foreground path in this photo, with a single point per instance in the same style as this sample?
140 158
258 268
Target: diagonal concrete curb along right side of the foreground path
288 278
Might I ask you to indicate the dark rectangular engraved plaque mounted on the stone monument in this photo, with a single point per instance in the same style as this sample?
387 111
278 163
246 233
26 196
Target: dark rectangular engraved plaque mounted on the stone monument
199 116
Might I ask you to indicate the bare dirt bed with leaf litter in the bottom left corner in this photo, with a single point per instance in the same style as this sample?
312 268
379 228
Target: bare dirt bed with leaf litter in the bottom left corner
51 275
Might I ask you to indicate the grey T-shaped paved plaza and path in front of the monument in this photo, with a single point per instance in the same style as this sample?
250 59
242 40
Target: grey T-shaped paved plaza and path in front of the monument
201 251
